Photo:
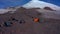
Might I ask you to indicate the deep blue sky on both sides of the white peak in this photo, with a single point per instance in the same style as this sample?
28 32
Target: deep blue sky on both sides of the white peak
7 3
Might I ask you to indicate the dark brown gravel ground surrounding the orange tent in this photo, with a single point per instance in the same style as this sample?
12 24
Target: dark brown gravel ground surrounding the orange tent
44 26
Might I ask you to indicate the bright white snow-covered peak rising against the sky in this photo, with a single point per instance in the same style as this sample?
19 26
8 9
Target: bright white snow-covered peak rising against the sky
40 4
